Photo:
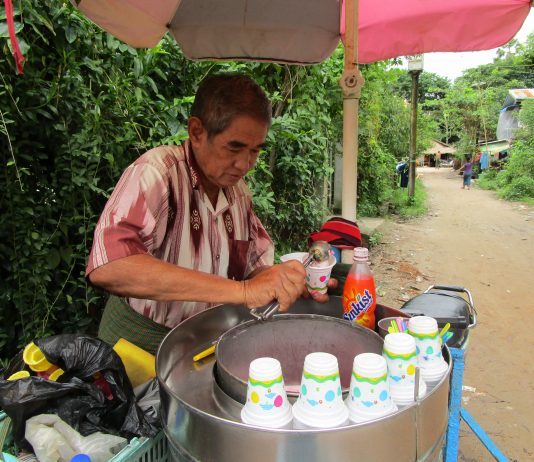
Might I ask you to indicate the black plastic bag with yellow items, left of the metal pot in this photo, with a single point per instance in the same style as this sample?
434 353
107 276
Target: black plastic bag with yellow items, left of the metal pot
75 397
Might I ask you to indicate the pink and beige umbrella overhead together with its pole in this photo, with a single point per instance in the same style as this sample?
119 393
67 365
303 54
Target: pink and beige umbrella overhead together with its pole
308 31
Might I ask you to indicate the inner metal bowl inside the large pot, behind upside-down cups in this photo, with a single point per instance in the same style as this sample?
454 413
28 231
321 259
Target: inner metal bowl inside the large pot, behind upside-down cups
289 338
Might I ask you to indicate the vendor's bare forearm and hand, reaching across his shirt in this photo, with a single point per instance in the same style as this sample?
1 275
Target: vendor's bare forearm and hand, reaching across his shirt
145 277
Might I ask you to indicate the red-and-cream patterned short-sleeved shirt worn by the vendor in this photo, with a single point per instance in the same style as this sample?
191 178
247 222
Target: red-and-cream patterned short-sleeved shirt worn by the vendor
160 208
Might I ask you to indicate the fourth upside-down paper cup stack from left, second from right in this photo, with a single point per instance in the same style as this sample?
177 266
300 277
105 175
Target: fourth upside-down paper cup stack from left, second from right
401 358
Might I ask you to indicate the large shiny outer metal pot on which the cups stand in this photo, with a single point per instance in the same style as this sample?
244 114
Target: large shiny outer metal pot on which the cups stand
202 424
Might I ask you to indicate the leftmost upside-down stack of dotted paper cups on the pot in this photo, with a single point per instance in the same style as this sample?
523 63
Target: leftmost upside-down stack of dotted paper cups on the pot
267 404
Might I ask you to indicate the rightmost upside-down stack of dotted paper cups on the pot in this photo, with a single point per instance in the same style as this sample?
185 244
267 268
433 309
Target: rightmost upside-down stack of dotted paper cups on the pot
424 330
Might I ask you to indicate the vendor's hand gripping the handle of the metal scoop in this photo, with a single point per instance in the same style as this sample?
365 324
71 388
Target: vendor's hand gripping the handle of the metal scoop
284 282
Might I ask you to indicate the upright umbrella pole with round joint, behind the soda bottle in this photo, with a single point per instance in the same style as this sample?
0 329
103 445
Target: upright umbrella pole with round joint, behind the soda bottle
351 83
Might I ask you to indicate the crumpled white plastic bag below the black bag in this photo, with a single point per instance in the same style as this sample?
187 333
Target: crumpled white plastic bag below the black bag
53 440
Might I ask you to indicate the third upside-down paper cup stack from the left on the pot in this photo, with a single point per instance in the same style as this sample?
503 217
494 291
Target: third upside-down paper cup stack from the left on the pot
369 396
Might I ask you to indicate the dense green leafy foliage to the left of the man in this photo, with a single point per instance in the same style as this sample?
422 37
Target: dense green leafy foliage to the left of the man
68 128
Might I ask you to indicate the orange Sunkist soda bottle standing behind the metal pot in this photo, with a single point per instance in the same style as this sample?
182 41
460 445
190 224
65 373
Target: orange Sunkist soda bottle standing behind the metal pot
359 293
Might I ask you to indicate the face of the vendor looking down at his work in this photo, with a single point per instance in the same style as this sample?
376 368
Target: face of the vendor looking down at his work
228 156
